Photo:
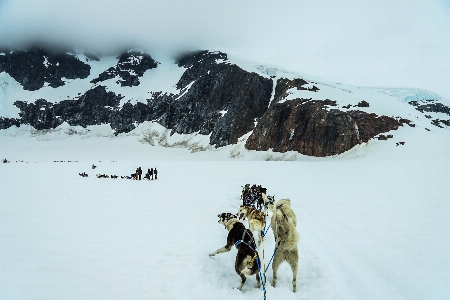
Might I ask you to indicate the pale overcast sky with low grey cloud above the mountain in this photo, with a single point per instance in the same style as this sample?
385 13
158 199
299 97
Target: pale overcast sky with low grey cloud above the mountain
402 43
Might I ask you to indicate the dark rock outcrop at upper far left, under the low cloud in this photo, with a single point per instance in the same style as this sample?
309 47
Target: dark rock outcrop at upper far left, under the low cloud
33 68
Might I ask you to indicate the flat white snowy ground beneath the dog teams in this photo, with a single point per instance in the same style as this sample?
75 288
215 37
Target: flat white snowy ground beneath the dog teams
374 222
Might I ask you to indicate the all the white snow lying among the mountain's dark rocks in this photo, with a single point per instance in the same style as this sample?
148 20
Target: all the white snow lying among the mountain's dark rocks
391 102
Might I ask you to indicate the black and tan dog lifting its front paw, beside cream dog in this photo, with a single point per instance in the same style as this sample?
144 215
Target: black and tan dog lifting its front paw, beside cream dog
247 259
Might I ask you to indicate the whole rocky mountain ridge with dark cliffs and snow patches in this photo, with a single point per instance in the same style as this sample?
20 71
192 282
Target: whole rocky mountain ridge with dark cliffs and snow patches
204 93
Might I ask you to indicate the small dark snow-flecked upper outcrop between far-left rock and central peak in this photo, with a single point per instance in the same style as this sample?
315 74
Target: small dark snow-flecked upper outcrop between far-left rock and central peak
130 67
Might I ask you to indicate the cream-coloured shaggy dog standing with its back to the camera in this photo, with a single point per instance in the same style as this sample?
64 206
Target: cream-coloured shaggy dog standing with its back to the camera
284 223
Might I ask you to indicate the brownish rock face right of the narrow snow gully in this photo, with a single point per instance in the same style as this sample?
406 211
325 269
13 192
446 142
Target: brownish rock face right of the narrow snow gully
310 128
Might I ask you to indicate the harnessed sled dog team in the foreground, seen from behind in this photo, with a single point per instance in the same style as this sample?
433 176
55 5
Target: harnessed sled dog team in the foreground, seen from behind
283 223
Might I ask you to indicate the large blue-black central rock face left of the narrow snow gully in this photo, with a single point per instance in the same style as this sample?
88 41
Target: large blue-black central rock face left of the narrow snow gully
222 99
